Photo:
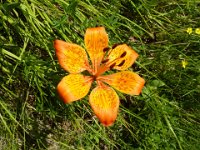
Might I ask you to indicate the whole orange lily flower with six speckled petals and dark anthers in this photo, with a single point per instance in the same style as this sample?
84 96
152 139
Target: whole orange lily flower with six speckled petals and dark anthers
103 99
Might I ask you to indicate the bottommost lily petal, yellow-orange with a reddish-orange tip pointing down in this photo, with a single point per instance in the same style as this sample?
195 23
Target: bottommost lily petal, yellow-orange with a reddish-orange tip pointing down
105 103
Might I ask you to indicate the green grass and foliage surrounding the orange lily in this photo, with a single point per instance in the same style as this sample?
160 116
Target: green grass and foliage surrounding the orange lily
164 116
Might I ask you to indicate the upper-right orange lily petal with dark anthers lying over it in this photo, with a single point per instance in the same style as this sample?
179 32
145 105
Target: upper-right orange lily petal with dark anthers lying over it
124 56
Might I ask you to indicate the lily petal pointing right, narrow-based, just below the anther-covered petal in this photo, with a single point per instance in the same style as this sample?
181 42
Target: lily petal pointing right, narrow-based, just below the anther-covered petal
126 81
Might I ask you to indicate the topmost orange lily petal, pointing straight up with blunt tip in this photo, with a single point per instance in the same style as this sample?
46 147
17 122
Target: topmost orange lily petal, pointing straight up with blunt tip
96 39
